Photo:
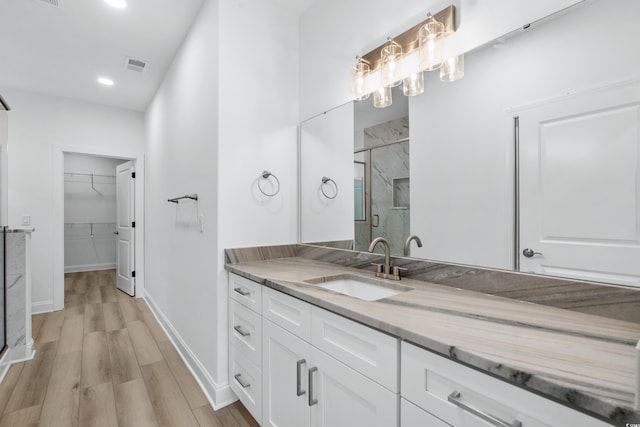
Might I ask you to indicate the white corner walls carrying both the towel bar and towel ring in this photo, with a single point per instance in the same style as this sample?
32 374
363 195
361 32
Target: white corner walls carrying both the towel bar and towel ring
226 111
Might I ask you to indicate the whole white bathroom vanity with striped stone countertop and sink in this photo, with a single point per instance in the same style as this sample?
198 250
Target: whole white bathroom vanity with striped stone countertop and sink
313 342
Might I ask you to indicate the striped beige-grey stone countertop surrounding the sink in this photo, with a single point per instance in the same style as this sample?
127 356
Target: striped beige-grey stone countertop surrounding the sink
584 361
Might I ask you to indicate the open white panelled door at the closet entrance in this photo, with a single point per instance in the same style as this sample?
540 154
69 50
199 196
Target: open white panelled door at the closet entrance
125 227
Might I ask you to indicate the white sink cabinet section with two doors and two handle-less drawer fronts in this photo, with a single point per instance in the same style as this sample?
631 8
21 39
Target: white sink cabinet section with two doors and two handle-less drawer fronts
306 386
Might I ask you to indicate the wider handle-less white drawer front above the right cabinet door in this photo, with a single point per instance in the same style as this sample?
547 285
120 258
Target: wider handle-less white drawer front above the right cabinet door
370 352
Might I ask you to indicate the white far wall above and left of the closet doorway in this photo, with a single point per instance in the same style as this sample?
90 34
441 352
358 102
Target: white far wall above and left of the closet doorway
37 124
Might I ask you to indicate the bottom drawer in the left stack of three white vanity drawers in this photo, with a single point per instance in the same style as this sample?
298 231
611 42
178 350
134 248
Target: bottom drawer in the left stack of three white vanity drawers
245 379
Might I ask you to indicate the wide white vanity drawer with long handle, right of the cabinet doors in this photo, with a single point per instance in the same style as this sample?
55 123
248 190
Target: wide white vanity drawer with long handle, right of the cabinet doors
428 380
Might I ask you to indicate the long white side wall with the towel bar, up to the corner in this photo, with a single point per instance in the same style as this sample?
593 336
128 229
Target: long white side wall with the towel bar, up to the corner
181 150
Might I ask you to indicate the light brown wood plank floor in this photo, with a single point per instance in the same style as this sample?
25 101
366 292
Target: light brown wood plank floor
105 361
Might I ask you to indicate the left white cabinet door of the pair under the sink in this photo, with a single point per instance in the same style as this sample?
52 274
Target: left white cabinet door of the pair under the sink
286 360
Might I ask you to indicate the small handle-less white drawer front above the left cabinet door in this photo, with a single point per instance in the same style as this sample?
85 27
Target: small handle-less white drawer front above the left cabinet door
287 312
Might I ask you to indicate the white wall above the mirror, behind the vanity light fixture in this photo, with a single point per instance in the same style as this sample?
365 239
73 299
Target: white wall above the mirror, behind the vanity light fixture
333 32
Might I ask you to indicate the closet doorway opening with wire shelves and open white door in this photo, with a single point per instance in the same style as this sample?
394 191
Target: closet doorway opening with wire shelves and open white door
98 217
